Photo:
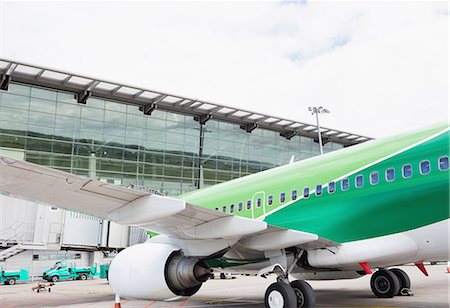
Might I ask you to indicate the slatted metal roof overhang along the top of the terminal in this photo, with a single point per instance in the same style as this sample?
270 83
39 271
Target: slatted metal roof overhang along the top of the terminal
148 100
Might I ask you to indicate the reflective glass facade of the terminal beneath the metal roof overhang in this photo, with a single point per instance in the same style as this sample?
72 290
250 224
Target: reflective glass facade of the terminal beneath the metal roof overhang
117 143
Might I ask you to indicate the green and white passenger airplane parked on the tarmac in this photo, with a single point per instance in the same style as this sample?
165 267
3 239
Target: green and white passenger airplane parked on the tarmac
341 215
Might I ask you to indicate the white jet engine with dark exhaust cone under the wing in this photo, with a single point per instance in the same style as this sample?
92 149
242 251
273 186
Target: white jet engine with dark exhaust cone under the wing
156 271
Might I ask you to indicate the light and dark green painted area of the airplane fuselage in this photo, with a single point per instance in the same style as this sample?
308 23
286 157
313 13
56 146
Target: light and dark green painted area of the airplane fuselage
355 214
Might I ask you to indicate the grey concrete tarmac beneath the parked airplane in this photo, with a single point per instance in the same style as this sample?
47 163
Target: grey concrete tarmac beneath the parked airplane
432 291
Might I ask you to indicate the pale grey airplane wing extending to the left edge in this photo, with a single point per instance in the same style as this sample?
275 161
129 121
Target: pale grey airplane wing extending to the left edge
162 214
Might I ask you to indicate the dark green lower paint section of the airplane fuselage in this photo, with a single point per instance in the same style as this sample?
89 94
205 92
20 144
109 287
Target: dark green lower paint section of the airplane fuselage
376 210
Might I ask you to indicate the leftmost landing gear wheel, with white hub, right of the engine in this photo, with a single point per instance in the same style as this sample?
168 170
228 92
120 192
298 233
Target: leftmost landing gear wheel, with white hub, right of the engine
279 295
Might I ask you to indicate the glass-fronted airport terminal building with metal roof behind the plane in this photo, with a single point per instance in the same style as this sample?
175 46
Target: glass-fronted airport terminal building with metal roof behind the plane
128 136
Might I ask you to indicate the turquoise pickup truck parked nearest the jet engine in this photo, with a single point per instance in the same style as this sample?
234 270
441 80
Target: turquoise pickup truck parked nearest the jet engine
63 271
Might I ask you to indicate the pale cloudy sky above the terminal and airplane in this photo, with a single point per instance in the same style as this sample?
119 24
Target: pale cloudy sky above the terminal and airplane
380 67
